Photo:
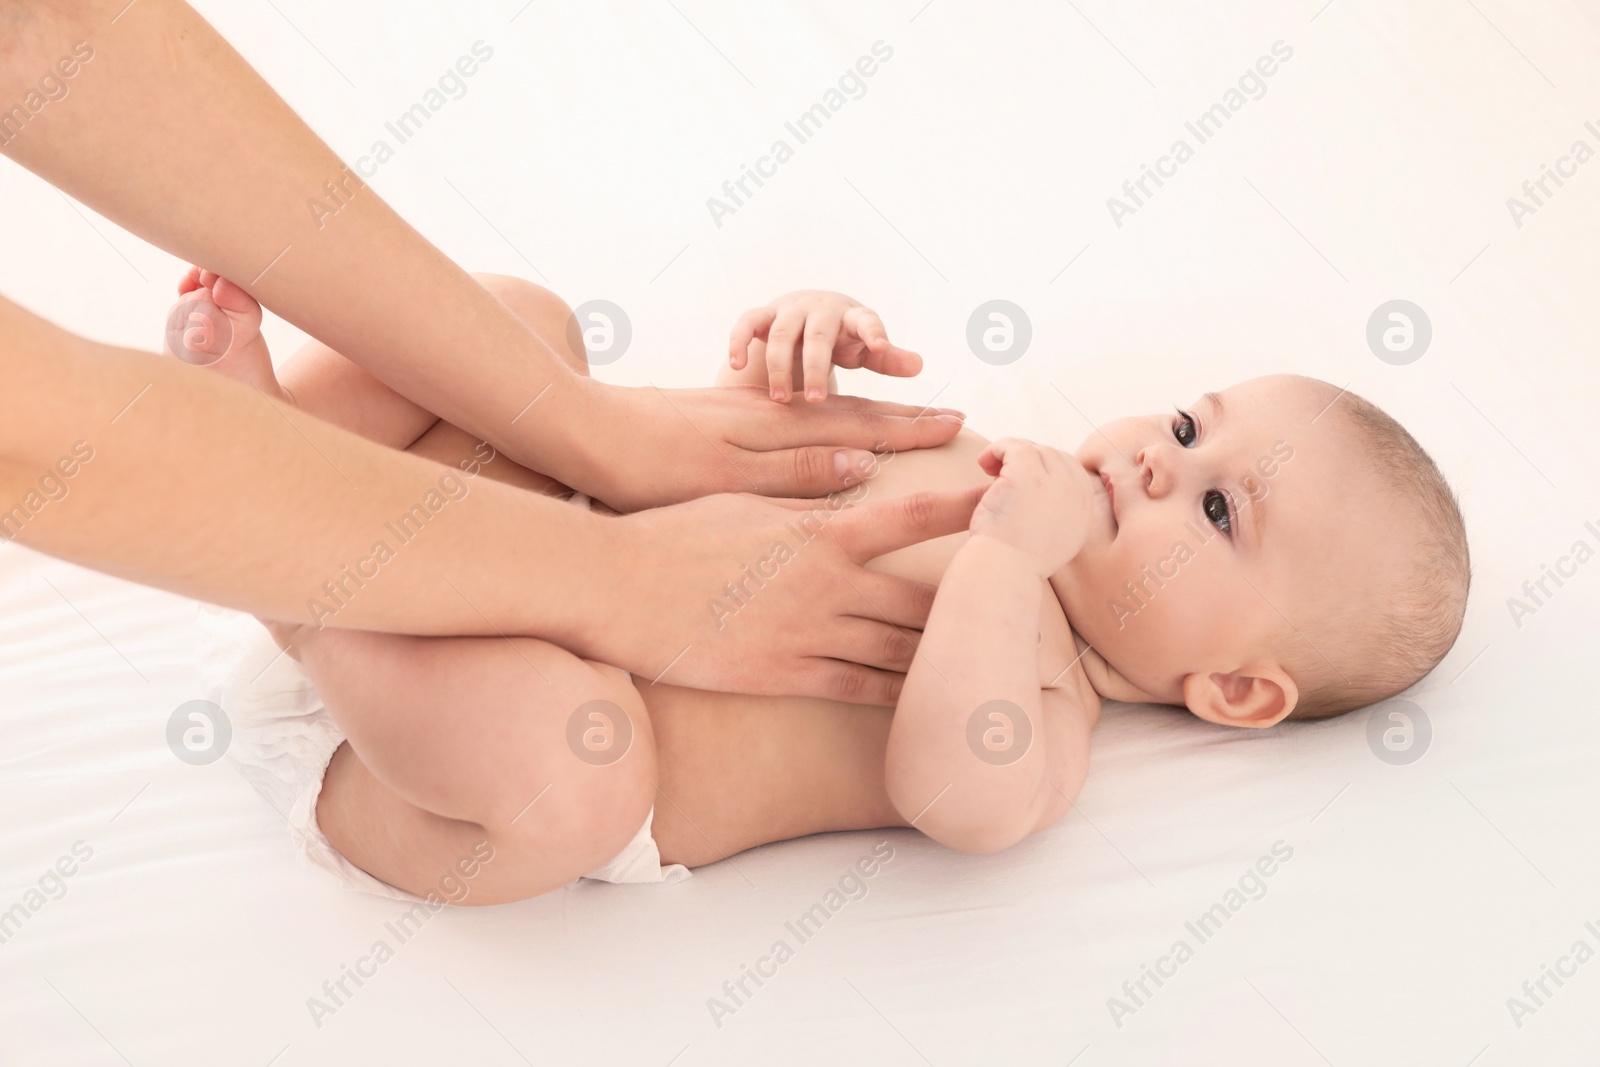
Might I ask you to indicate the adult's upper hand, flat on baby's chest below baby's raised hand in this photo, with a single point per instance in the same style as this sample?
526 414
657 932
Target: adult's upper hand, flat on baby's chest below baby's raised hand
652 447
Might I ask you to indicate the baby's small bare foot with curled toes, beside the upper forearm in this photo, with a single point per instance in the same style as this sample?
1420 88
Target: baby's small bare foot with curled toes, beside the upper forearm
217 324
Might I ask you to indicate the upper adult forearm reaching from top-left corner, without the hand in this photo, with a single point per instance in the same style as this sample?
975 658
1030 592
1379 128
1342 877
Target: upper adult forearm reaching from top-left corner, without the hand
172 135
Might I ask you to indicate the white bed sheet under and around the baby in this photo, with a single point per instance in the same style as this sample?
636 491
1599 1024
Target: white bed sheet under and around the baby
977 166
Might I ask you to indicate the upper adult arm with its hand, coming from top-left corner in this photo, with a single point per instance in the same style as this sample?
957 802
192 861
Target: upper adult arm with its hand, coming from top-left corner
170 134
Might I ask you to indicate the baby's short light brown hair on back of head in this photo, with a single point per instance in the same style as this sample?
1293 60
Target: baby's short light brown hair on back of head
1385 649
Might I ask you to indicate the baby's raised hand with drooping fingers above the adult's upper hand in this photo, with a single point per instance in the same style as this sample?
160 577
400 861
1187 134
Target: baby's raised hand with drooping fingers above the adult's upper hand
831 329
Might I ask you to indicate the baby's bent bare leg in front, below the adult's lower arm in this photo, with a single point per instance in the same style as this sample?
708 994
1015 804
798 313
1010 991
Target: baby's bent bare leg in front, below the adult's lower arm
457 743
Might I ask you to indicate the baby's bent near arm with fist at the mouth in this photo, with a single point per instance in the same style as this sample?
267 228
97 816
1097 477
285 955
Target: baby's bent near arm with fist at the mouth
985 749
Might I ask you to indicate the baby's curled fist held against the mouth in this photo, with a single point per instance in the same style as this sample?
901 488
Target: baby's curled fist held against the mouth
1041 502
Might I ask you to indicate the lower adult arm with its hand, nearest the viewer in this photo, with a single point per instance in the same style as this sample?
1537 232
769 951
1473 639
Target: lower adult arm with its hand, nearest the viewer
145 468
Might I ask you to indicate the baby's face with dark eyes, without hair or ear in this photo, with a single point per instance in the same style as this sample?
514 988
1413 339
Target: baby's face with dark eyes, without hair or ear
1220 532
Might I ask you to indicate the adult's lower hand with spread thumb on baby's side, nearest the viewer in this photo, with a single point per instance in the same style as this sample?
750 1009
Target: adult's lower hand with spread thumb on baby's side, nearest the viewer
770 597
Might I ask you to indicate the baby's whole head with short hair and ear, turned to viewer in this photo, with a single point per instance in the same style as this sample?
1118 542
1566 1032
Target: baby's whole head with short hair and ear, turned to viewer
1282 549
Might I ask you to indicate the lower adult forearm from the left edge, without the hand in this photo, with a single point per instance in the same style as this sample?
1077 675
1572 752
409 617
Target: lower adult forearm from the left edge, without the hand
150 470
